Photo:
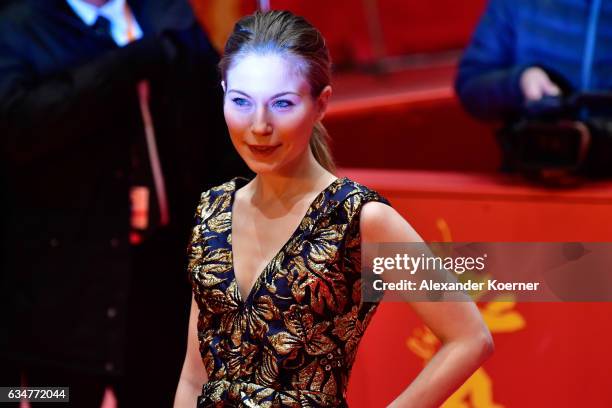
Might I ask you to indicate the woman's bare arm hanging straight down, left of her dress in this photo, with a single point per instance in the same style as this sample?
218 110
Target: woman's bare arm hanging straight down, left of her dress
193 375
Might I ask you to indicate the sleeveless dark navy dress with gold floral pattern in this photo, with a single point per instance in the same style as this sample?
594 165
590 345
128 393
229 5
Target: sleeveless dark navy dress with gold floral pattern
293 340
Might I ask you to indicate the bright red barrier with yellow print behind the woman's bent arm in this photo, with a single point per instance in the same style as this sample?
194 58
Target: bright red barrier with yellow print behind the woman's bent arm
547 354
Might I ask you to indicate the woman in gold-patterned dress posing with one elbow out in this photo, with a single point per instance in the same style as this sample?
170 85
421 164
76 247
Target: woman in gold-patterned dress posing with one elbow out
275 261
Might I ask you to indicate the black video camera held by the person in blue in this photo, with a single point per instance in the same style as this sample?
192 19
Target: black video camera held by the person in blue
561 139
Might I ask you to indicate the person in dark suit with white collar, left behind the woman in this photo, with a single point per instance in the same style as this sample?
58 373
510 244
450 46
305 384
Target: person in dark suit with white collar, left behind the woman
91 297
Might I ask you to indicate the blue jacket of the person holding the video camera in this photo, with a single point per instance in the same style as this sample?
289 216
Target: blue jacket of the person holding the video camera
570 39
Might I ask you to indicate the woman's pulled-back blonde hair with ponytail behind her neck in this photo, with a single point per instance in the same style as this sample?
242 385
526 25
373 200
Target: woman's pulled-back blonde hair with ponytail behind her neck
287 34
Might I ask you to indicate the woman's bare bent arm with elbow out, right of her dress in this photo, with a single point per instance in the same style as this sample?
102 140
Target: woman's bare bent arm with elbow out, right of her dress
466 341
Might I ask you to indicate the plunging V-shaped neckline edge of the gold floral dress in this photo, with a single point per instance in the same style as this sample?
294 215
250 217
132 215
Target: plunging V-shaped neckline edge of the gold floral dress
262 273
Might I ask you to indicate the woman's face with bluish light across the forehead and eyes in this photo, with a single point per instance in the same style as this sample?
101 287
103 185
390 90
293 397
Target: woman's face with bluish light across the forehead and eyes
270 111
